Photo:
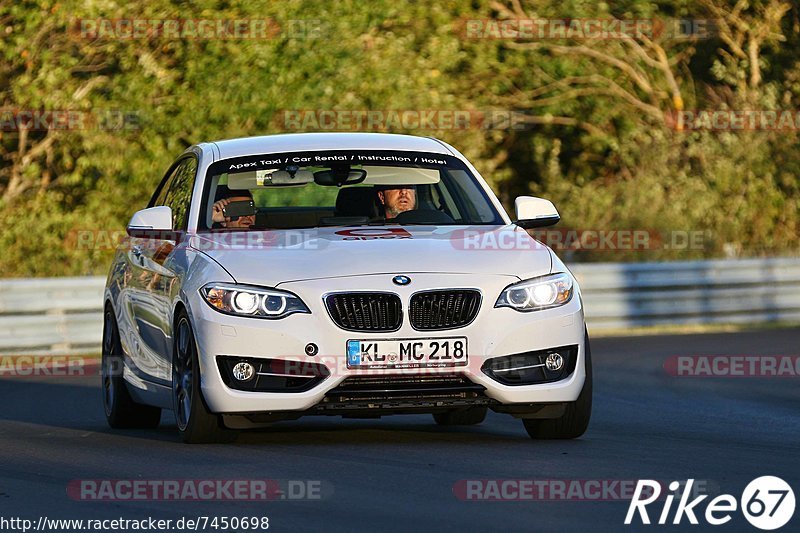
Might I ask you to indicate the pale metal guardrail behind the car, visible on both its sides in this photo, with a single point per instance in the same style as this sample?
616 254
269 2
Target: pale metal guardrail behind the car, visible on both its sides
64 315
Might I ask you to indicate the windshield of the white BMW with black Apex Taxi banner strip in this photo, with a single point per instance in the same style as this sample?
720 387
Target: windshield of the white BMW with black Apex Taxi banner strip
342 188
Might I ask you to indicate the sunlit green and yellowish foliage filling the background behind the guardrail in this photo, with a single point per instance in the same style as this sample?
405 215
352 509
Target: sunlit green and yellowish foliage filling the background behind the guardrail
606 163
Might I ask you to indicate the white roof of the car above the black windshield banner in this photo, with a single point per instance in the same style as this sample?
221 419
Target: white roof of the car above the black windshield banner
302 142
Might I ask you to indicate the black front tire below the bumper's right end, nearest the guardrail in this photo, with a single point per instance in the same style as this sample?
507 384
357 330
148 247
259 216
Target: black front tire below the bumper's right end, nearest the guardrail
574 422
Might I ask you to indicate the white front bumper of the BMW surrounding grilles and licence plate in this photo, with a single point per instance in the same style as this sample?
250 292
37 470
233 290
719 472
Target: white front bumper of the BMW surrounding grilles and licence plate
495 332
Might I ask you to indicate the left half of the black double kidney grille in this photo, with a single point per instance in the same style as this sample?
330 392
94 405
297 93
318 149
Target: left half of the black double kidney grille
365 311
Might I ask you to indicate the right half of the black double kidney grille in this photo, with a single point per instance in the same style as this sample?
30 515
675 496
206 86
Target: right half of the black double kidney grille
445 309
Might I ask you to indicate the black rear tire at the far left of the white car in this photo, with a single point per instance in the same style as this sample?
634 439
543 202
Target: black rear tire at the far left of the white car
120 409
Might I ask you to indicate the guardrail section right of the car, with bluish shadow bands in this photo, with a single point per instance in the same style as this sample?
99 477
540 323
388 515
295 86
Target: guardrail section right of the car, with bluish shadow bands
744 291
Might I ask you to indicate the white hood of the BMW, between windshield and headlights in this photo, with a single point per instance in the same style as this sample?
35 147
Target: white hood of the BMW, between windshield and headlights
277 256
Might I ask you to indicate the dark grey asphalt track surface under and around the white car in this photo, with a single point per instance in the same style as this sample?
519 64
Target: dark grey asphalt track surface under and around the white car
404 473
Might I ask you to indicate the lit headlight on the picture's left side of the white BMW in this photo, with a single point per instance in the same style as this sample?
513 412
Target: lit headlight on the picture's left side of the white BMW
243 300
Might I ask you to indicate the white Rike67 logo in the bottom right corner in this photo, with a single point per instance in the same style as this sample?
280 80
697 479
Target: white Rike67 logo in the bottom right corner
767 503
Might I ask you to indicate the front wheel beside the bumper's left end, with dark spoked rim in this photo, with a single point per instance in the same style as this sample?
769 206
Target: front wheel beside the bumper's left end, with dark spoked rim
195 423
